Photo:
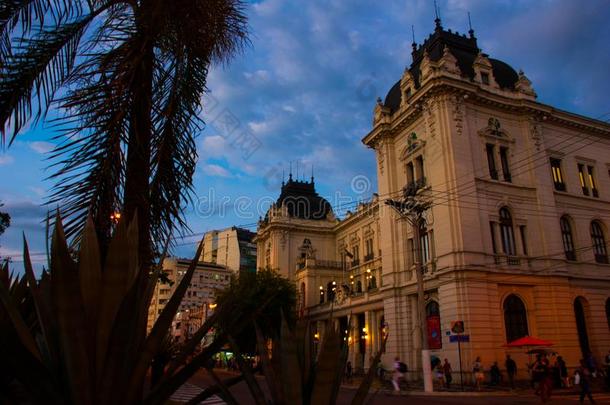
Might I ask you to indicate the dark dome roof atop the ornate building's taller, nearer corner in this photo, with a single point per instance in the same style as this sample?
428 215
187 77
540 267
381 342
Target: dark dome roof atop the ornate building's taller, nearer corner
464 49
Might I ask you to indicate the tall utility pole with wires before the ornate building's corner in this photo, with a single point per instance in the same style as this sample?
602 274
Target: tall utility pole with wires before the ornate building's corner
412 208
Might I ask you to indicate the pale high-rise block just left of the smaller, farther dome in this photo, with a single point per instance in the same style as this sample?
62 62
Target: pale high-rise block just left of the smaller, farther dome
231 247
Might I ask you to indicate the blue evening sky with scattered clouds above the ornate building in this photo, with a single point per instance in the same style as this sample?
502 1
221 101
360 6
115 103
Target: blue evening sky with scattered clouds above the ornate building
305 90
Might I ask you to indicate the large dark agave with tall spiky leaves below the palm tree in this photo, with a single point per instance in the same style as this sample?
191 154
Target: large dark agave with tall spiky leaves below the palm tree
77 335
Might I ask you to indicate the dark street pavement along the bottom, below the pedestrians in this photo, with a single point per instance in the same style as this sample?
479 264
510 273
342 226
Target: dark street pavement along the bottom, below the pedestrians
381 396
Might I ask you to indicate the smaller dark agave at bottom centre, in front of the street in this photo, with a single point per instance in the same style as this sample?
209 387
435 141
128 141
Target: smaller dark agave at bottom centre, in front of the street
292 373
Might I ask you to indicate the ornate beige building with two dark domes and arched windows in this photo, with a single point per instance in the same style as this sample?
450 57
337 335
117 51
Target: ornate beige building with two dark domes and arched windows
515 241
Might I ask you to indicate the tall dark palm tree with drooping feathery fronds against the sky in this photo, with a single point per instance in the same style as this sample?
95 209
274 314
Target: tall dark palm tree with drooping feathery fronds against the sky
127 78
